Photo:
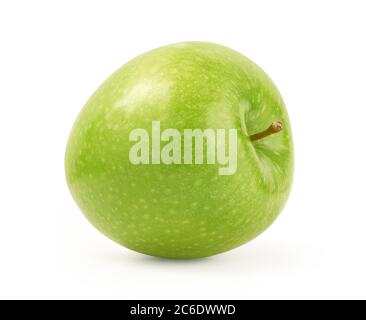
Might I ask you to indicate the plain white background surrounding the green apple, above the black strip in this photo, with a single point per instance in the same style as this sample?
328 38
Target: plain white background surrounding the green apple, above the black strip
54 54
